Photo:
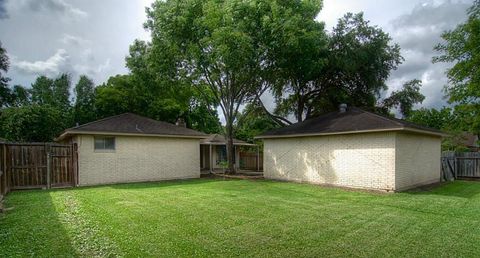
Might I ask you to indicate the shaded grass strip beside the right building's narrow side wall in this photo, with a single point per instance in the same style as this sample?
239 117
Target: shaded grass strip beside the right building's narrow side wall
459 188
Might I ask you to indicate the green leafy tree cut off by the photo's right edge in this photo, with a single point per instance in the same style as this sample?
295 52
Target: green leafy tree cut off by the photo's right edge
461 47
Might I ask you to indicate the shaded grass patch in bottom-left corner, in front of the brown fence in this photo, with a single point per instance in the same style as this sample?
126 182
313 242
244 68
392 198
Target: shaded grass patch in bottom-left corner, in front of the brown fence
32 227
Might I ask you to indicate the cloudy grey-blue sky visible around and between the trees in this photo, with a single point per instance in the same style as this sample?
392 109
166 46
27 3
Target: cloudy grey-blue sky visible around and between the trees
48 37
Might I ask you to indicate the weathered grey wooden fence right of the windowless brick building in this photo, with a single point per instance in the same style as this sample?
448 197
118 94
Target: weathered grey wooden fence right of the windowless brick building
460 165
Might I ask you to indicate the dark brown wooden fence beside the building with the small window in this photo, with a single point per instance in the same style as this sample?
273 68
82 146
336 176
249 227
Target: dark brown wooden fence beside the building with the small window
41 165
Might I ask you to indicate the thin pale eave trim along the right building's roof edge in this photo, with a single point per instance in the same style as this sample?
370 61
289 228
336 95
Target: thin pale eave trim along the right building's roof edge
439 134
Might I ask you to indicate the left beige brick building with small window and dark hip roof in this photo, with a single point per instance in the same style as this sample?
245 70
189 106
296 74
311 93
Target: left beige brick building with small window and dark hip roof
132 148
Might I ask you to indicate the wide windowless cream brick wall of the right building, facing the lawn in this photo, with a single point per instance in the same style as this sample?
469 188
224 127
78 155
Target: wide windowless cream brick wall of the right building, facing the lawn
356 160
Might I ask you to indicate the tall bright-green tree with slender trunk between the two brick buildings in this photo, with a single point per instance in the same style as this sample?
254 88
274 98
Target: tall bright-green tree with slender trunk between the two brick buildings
222 46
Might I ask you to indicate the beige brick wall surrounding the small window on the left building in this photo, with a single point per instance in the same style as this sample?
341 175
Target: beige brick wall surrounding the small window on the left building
138 159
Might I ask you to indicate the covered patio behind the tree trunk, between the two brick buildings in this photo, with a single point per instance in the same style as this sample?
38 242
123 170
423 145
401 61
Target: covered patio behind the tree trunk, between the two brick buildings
213 155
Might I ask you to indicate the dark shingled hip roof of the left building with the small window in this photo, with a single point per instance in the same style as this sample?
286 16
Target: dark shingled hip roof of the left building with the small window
132 124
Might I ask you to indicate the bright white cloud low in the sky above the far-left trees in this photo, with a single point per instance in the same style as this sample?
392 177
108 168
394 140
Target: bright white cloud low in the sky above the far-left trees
54 65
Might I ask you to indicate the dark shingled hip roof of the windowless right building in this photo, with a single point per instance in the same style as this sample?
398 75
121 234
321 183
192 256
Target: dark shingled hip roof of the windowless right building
353 120
